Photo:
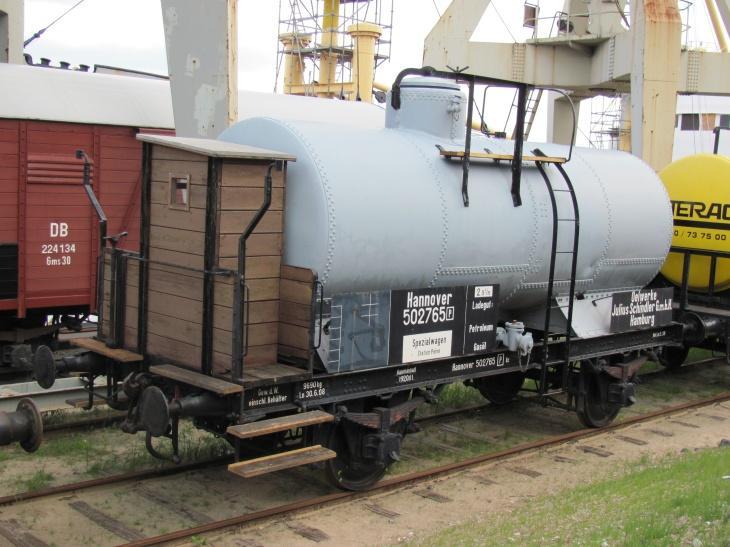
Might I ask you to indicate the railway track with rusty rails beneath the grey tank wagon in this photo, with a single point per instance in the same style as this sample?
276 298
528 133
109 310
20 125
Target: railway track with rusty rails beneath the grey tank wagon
134 482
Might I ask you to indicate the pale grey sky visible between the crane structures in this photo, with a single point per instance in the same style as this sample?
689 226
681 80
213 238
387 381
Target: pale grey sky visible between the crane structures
129 33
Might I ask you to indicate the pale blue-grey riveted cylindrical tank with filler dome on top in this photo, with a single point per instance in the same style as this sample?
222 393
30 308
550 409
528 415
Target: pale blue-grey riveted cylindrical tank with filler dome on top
373 209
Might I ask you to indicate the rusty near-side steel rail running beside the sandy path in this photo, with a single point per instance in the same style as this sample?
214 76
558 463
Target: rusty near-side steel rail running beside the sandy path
419 476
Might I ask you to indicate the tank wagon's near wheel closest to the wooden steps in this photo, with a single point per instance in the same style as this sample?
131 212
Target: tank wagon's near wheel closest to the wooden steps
347 471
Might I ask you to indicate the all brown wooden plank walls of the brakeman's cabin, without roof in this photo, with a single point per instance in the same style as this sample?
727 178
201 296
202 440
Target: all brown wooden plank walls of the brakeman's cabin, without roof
177 237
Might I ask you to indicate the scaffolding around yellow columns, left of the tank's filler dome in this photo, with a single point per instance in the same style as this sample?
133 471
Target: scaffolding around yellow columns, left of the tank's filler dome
331 48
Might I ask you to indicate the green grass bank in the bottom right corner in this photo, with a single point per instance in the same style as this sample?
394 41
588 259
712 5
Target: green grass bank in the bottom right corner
676 501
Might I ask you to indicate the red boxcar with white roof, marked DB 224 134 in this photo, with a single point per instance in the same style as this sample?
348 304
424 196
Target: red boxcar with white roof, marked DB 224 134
48 229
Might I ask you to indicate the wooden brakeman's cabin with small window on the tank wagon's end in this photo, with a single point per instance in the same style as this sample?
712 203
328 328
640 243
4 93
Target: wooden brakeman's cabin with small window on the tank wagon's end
180 292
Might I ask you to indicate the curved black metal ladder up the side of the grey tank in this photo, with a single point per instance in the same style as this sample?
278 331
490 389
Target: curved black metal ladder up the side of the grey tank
560 223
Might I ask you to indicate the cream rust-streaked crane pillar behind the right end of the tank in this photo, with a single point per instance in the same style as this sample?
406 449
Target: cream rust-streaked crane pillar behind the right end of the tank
657 37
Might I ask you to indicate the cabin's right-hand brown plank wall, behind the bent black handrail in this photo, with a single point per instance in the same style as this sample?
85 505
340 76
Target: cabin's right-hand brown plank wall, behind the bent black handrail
241 196
